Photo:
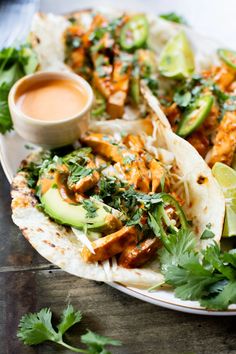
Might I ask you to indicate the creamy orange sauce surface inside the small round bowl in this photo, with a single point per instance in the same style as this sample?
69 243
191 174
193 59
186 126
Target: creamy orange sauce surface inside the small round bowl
52 100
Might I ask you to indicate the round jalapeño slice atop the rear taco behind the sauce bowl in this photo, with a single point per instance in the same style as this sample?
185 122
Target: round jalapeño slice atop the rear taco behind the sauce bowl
134 34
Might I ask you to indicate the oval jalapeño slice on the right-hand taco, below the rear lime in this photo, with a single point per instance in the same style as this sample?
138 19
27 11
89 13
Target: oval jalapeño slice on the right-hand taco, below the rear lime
195 115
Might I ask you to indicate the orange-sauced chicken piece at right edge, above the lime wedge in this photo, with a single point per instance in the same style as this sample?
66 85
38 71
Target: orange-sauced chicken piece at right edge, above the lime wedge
225 141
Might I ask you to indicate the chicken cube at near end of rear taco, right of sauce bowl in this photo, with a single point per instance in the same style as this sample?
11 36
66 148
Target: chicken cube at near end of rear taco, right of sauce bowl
116 103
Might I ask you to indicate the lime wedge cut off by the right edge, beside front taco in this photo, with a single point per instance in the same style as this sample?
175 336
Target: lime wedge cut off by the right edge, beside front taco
226 177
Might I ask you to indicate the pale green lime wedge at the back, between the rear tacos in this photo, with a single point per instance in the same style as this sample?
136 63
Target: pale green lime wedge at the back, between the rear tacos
176 59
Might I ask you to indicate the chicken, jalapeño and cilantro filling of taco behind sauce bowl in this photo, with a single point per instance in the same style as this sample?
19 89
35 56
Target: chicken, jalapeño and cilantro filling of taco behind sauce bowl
112 54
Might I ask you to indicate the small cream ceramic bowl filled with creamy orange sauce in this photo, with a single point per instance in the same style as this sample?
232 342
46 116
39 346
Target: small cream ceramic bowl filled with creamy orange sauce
51 109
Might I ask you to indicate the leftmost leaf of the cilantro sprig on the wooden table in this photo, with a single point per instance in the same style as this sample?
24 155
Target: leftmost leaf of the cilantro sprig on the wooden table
35 328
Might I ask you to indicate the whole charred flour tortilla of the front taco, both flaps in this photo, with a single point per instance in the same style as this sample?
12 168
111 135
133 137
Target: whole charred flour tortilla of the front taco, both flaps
59 245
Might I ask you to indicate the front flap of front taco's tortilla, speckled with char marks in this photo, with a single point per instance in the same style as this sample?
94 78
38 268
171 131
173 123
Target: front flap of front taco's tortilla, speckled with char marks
59 245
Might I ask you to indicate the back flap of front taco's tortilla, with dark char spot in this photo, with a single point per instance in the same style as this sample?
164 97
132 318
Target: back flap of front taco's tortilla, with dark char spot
206 201
